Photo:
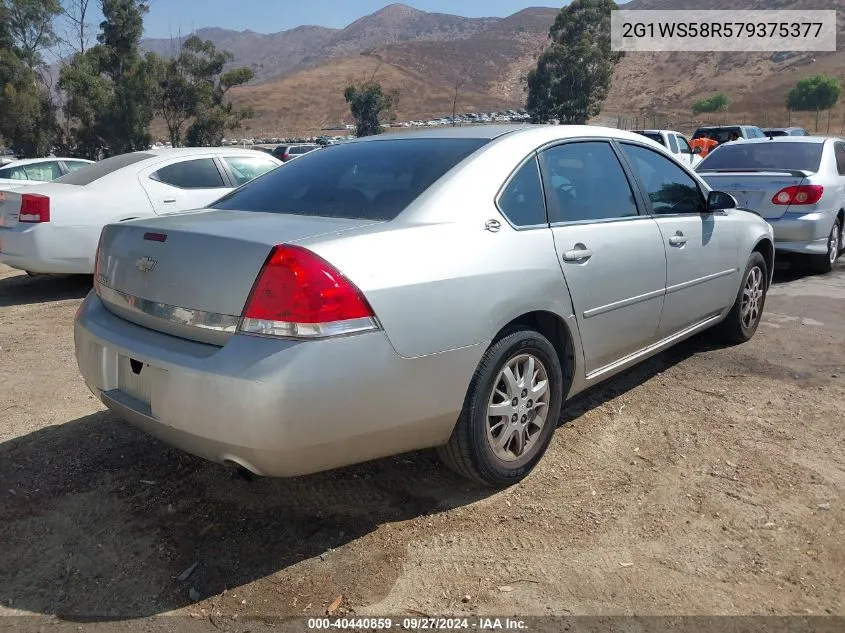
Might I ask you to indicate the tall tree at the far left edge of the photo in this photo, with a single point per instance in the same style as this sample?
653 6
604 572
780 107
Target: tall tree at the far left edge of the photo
27 114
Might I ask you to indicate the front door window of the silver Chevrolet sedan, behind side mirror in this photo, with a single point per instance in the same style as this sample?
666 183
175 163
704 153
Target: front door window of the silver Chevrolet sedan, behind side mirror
669 188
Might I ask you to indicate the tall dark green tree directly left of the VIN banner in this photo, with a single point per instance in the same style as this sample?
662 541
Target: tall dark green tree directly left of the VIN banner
573 75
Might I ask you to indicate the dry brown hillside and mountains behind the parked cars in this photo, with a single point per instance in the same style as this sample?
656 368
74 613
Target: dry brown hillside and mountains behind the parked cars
301 73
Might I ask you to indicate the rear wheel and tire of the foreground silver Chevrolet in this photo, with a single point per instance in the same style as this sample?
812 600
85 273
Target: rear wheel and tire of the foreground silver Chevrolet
510 411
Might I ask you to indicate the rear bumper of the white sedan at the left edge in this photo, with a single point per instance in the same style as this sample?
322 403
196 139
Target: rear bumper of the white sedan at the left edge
42 248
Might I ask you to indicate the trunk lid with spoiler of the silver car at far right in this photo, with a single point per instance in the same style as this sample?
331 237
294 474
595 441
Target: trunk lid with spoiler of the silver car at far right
755 189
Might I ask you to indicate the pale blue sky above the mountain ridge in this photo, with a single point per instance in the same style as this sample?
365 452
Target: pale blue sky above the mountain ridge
169 17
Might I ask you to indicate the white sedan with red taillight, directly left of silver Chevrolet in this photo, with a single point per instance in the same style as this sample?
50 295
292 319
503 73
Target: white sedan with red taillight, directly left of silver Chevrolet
54 227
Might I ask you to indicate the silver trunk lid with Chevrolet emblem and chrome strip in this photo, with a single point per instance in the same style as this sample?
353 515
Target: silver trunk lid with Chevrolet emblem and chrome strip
190 274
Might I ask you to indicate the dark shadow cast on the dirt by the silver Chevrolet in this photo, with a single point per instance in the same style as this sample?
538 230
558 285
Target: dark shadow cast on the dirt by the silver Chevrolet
98 521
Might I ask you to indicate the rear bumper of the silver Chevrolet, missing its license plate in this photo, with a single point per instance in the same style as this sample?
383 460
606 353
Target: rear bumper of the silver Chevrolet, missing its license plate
276 407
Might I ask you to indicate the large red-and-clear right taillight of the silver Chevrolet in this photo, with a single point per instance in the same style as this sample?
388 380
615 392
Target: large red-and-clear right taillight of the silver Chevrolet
299 294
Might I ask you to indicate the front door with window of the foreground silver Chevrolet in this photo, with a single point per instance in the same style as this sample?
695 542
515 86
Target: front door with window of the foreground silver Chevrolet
701 249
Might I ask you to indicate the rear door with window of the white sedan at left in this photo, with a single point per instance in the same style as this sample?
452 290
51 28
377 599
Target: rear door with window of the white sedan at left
185 183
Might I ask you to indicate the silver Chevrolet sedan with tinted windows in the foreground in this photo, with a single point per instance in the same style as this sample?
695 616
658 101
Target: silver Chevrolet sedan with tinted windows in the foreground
451 288
